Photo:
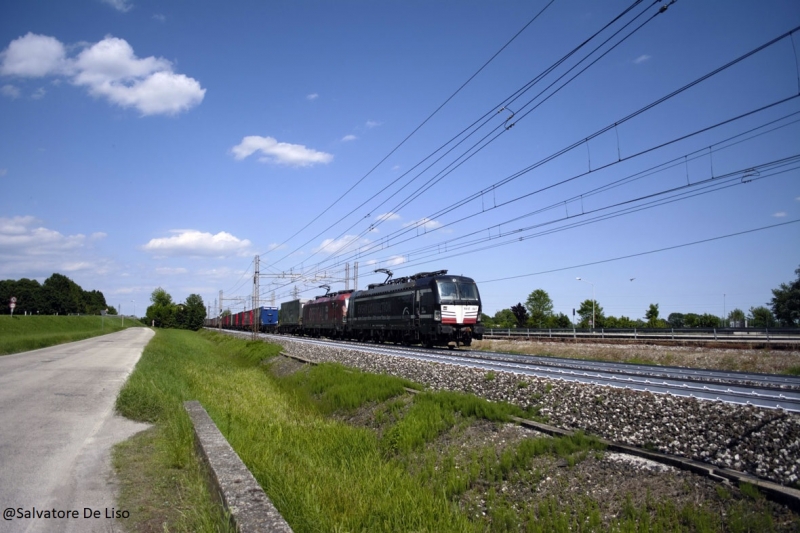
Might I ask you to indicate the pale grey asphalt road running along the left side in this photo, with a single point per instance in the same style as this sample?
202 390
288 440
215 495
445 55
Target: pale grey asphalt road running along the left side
57 426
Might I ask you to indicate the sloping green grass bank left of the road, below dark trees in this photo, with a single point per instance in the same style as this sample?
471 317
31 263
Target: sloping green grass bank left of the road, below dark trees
23 333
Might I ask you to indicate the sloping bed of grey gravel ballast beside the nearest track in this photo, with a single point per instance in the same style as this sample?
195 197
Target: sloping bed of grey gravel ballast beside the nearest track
762 442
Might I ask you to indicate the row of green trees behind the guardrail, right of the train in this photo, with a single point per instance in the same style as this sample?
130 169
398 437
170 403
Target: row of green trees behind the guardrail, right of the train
537 312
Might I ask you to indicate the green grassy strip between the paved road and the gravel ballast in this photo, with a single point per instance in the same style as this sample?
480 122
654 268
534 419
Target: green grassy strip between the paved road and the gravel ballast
407 470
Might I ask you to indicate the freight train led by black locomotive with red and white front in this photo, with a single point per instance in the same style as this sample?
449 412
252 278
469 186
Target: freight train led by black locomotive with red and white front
430 308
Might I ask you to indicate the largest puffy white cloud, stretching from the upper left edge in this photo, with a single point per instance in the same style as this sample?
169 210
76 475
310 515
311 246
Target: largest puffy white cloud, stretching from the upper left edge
108 69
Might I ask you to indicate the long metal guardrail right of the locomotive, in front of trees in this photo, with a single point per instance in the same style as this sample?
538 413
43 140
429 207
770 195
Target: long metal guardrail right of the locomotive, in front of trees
724 334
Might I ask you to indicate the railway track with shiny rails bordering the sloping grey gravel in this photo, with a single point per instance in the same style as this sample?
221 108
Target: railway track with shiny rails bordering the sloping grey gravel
760 390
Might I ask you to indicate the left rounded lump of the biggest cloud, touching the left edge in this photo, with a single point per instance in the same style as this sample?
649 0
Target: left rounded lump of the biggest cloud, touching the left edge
33 56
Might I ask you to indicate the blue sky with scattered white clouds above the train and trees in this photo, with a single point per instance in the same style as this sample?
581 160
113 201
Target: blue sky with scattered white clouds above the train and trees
147 144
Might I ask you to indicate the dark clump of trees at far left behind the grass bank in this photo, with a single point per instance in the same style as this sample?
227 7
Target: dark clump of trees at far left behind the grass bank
58 295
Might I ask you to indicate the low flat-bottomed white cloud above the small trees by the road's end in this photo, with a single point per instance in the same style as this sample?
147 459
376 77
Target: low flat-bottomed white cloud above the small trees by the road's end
194 243
